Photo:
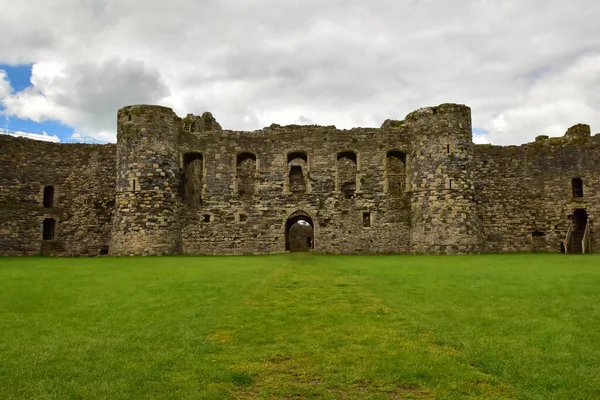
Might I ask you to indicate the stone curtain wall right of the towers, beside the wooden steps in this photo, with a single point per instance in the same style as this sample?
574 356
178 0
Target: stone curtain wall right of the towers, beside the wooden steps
525 189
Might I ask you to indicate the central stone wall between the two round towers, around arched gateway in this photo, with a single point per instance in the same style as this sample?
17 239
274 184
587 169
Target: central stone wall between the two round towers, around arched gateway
228 222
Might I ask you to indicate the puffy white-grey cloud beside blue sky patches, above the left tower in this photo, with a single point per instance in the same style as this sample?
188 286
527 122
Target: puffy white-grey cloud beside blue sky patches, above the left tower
86 95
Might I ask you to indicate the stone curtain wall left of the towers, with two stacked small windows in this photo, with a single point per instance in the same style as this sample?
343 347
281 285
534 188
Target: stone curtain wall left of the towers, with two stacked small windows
82 176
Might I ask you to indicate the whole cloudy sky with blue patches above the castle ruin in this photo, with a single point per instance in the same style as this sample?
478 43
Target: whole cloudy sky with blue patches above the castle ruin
525 67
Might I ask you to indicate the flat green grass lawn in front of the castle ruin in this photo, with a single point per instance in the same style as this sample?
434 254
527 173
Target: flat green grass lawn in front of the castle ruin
301 326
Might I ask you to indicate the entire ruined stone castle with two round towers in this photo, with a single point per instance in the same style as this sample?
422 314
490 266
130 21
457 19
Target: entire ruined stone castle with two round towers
174 185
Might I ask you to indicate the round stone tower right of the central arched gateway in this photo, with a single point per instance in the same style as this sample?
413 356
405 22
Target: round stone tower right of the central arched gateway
443 212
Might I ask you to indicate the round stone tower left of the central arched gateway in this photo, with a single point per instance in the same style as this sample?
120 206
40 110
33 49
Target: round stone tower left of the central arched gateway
147 201
